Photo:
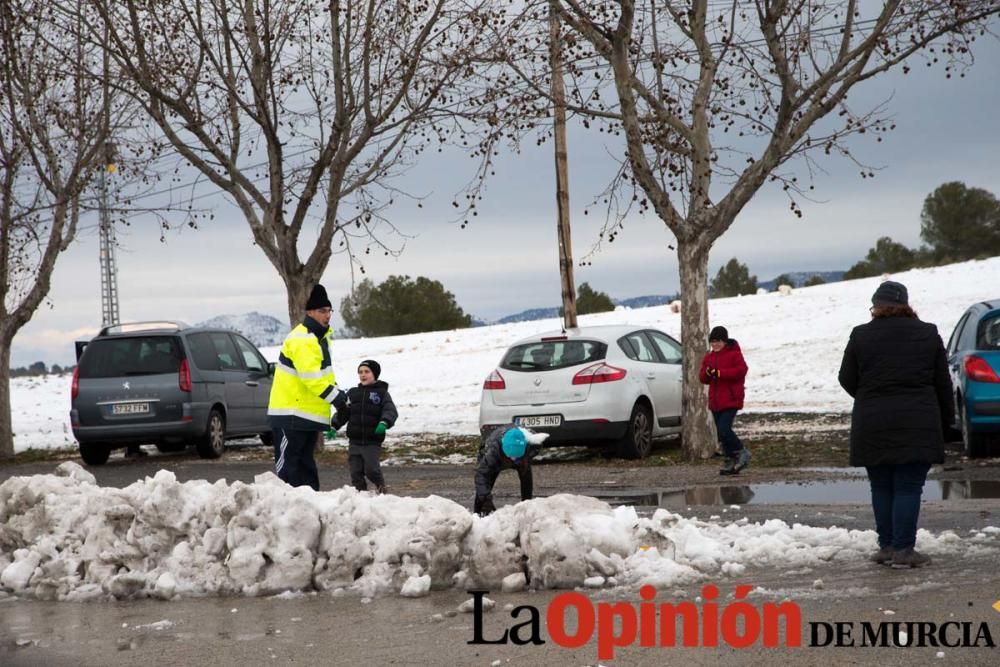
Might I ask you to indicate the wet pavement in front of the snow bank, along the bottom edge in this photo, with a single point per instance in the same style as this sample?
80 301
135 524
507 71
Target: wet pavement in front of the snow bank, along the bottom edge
322 629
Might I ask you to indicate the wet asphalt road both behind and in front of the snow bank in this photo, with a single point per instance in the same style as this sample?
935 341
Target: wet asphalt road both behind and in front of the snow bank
321 629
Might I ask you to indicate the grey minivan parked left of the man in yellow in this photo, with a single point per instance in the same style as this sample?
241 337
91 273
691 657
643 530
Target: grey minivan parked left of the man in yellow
168 384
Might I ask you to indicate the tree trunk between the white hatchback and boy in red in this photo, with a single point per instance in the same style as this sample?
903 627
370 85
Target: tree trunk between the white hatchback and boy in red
698 430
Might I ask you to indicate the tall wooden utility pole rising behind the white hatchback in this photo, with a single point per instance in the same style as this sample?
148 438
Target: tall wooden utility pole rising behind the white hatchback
562 174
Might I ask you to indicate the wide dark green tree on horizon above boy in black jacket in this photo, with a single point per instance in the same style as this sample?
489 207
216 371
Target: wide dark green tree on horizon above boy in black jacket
399 306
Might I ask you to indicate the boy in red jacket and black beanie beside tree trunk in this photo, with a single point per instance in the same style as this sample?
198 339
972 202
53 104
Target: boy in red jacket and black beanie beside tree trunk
724 370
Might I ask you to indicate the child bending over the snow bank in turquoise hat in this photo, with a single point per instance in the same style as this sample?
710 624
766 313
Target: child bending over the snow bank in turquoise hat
507 448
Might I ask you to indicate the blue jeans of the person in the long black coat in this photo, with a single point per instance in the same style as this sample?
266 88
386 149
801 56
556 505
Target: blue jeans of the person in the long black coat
896 493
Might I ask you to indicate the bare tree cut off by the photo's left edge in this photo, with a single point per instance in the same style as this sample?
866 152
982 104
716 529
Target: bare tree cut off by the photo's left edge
51 139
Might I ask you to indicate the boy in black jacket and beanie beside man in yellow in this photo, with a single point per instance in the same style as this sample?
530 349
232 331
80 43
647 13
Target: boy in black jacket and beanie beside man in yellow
368 413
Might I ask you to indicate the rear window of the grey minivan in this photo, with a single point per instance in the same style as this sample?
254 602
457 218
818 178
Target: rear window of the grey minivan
139 355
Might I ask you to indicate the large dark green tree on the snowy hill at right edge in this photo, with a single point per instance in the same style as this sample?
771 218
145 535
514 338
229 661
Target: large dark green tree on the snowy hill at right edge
959 223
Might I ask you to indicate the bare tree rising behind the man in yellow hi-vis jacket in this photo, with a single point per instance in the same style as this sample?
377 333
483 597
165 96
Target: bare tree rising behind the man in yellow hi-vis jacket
300 111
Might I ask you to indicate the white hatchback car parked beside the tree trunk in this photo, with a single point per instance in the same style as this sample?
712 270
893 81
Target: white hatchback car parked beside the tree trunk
589 386
